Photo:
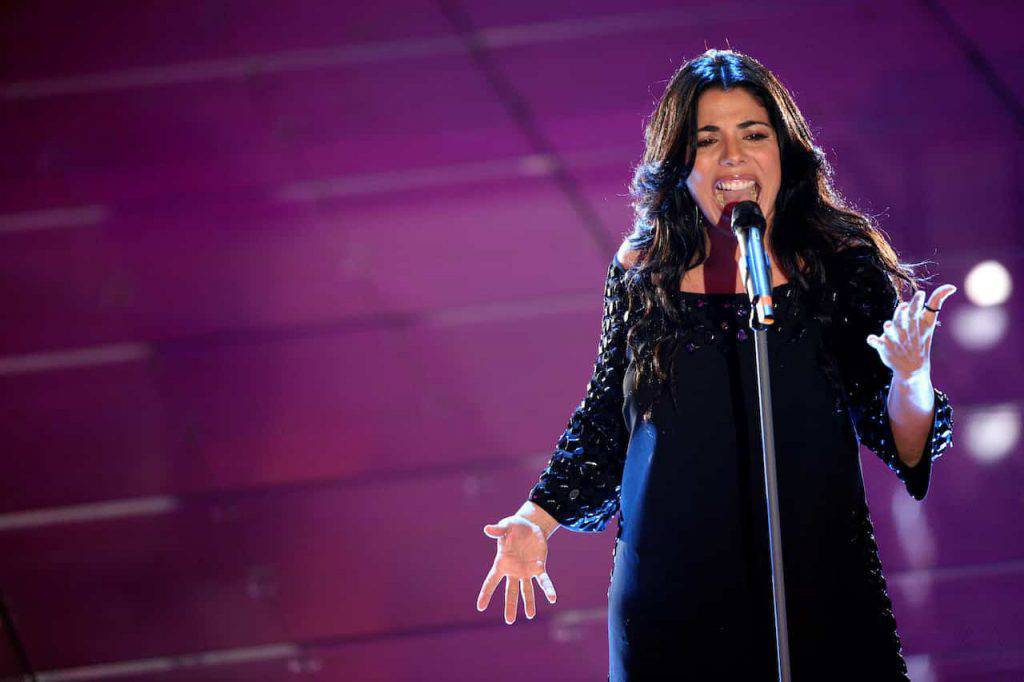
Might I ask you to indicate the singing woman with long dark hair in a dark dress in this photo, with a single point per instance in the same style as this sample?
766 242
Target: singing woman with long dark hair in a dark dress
668 435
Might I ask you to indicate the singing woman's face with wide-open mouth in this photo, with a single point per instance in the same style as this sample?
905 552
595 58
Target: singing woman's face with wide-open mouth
738 155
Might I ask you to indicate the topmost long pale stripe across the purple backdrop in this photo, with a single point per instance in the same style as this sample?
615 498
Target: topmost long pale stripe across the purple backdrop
372 53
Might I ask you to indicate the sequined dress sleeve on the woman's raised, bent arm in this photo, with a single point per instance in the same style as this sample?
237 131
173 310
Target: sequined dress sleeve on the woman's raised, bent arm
866 299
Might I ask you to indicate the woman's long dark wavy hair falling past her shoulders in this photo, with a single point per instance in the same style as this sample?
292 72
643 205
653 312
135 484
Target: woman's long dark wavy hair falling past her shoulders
812 219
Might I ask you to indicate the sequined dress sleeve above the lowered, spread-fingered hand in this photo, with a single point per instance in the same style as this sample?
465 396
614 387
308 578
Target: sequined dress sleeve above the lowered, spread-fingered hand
581 485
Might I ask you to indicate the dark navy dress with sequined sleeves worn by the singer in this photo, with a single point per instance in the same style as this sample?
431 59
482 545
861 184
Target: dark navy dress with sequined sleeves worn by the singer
691 592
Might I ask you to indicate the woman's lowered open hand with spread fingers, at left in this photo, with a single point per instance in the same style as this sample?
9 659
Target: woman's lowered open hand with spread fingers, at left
522 556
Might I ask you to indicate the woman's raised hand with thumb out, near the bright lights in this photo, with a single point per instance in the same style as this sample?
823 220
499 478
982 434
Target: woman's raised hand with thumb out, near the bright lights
906 345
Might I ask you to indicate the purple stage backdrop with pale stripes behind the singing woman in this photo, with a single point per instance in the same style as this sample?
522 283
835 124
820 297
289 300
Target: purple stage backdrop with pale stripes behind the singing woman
309 290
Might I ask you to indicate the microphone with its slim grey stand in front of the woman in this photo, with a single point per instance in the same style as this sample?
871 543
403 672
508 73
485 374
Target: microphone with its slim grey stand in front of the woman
749 226
